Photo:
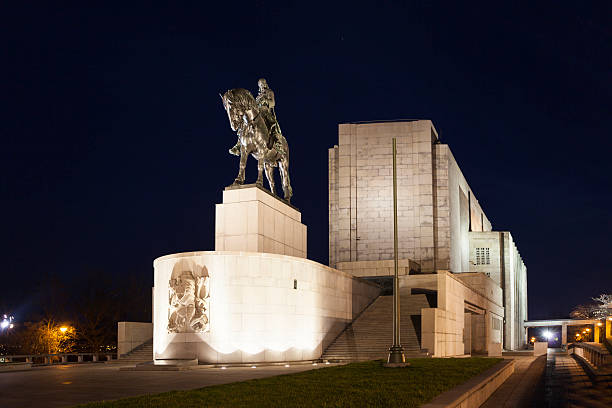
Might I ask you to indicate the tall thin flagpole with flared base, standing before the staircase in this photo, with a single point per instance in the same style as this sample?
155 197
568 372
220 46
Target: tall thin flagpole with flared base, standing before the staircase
396 351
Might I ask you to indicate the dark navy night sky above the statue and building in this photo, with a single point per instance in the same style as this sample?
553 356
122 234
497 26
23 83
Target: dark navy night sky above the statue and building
114 138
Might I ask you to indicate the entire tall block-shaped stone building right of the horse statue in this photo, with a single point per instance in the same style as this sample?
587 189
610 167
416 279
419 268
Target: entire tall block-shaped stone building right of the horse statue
442 229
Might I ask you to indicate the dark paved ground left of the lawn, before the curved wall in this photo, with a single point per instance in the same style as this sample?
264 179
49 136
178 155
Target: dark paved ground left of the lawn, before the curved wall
66 385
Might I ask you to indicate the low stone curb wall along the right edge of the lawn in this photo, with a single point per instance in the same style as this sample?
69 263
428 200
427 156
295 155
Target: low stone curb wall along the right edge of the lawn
475 391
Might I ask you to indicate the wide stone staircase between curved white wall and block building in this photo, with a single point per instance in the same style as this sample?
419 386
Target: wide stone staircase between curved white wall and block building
371 333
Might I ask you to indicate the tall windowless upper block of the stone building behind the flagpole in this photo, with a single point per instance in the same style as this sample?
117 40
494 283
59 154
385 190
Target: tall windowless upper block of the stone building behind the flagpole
432 224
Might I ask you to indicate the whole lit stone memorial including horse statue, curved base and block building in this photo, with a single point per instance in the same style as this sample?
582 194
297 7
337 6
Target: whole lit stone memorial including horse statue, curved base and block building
257 298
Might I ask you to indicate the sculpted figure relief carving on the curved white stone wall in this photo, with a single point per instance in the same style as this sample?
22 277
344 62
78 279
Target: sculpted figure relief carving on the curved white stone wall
188 298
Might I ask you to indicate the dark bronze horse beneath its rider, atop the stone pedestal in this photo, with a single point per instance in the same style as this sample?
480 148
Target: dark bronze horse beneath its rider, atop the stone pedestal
269 148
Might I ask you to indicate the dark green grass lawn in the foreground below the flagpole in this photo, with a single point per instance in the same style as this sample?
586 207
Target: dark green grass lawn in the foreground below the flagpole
366 384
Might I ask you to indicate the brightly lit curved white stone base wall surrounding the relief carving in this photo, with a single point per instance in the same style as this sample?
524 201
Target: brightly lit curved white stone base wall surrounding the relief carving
256 314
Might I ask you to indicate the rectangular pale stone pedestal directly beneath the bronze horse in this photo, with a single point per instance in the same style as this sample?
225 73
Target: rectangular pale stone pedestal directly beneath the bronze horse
251 219
